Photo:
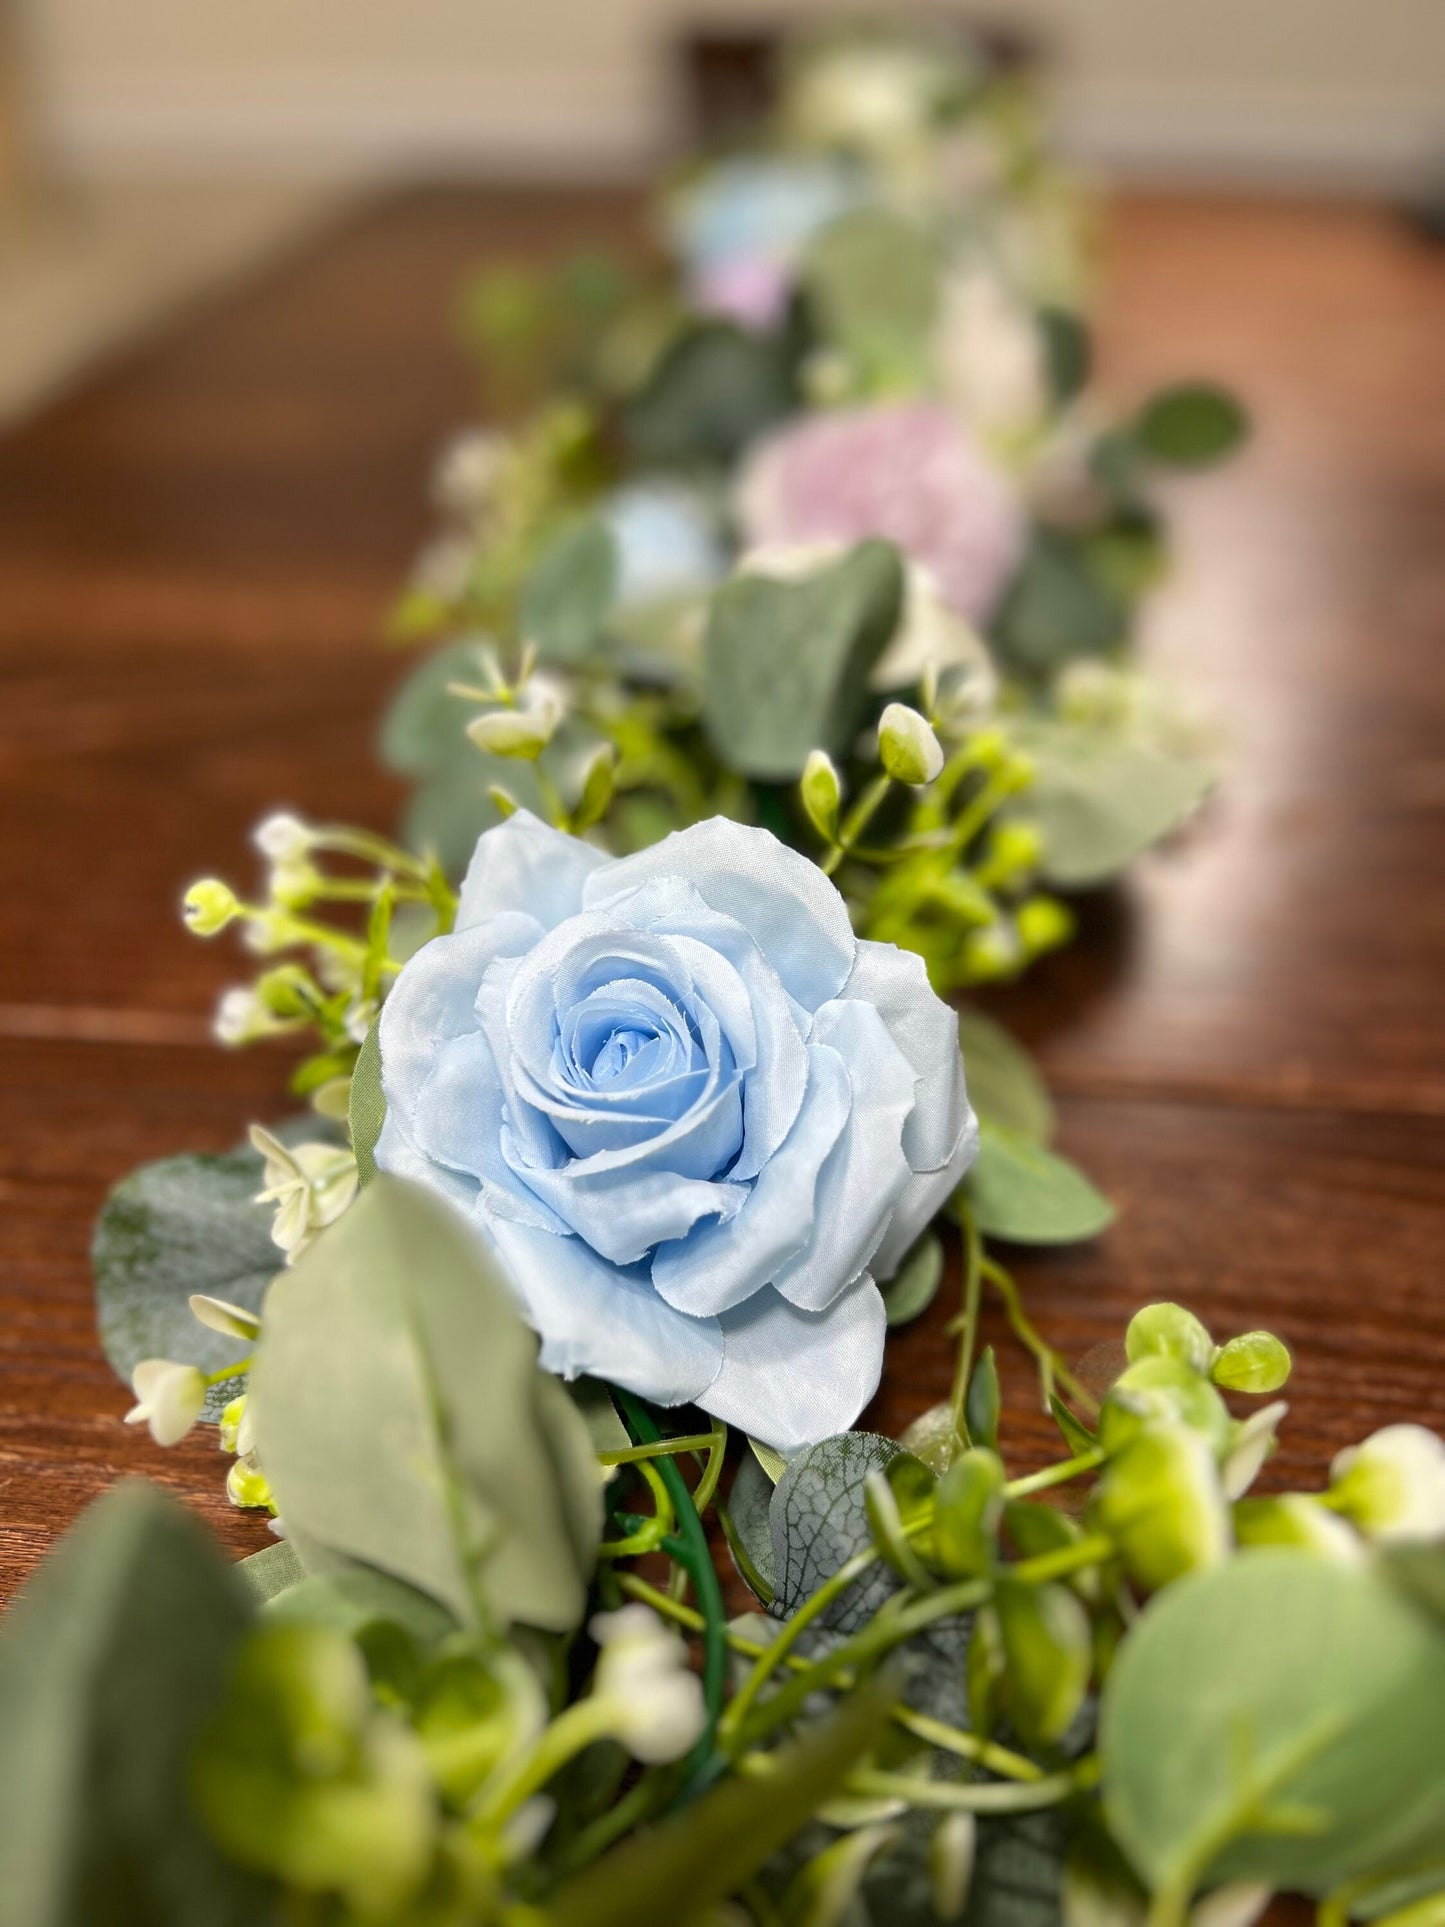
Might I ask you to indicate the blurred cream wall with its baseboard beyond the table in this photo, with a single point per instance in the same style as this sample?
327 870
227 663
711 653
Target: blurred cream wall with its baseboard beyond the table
1325 92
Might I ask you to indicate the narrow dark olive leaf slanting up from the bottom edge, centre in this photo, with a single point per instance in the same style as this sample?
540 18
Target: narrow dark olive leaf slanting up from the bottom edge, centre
723 1839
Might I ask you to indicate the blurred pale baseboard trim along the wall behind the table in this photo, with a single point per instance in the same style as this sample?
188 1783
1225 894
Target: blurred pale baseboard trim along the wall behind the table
552 126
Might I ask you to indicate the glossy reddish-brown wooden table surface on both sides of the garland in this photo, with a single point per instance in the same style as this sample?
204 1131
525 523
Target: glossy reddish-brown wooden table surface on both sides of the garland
1249 1042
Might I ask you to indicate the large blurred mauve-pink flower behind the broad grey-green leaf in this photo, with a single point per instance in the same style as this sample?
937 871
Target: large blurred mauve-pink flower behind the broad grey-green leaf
903 471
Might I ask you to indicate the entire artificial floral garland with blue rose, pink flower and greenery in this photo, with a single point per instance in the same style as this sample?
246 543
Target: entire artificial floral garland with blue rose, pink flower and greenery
635 1107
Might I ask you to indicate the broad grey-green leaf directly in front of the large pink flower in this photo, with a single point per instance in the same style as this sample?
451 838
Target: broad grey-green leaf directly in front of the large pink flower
787 664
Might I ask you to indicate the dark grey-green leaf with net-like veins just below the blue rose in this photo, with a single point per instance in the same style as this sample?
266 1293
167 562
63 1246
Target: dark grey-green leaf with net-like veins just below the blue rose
820 1519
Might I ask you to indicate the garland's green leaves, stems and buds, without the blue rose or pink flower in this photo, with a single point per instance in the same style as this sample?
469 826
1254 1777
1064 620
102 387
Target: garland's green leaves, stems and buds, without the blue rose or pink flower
488 1674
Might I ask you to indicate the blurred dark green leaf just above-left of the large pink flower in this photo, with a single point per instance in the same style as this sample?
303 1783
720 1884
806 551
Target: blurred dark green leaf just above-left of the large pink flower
712 394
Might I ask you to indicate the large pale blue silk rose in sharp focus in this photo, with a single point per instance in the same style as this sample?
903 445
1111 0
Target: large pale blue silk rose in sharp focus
689 1109
